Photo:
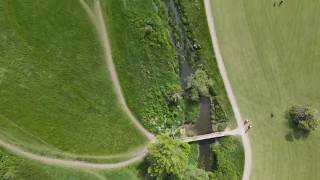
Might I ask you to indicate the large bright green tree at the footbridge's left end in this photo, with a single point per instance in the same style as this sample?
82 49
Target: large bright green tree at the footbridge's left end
168 158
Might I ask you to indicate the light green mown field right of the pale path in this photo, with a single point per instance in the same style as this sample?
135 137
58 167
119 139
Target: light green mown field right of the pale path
271 54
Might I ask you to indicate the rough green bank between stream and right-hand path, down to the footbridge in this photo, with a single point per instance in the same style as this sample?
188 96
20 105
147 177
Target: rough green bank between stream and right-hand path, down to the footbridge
194 14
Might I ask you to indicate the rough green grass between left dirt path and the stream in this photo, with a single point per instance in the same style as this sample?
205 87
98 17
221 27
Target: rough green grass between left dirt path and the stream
145 59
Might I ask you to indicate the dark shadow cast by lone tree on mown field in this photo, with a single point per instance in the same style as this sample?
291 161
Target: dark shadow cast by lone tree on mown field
294 132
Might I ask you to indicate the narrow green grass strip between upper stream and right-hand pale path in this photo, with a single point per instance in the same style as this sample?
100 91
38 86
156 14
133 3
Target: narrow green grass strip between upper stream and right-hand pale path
198 24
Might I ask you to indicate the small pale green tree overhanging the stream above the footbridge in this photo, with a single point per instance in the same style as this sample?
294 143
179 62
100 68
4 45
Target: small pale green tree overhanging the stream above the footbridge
200 84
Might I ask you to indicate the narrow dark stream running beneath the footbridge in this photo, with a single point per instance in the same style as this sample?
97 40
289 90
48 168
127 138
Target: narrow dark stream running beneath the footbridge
188 59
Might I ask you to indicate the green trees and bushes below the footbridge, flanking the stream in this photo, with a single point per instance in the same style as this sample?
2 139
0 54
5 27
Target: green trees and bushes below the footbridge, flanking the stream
171 159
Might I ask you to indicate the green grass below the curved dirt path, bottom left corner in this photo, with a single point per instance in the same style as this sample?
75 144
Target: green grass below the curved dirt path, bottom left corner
23 169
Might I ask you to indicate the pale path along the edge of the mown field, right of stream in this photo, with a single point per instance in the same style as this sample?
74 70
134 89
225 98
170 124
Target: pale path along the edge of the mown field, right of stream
231 96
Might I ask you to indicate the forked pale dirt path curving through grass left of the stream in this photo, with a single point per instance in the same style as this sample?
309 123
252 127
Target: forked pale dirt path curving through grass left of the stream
96 17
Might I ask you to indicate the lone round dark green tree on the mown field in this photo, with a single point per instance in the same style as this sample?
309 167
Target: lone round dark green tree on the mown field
304 117
